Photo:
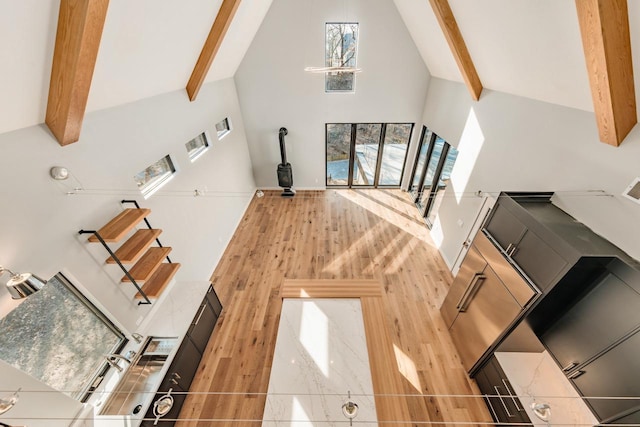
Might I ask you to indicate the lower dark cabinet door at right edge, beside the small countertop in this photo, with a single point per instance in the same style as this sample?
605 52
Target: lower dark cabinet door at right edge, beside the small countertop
615 373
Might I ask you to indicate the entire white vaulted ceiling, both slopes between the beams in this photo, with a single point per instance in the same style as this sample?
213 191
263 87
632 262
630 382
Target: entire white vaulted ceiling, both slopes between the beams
530 48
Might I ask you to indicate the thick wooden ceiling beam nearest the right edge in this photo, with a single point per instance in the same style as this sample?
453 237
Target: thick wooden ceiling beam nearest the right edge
604 25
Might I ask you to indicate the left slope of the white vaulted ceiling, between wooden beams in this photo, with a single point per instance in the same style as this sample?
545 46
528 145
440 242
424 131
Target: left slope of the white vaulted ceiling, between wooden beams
148 47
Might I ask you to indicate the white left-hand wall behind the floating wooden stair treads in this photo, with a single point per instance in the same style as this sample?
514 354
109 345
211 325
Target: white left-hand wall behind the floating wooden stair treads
38 230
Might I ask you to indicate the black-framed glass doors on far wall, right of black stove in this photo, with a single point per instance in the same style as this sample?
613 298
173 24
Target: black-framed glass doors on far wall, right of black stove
366 154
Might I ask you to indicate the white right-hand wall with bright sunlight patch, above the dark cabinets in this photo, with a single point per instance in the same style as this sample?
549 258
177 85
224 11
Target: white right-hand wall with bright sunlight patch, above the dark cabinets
512 143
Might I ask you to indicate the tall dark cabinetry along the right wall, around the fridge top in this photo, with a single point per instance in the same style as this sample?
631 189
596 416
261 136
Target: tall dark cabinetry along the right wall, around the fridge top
589 315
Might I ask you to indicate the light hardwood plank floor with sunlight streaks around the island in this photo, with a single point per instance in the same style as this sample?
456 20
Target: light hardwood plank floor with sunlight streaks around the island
343 234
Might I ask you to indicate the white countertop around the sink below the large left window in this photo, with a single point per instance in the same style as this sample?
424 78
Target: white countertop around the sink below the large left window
171 317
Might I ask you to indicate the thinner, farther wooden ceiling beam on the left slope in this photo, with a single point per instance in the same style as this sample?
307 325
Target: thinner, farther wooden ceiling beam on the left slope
211 46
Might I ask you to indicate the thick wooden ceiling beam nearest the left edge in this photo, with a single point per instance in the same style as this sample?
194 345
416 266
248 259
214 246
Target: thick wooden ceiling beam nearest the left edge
80 24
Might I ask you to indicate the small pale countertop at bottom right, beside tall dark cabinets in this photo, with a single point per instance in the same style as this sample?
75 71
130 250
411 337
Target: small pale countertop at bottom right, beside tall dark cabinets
536 379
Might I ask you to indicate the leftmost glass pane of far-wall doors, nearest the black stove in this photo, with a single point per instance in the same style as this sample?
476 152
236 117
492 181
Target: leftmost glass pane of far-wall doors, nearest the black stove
338 147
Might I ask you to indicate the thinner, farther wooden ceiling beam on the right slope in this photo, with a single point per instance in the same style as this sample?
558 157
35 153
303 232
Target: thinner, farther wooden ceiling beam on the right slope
457 45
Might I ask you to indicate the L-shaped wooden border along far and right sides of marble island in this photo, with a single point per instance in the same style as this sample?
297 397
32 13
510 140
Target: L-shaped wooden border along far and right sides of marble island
389 391
